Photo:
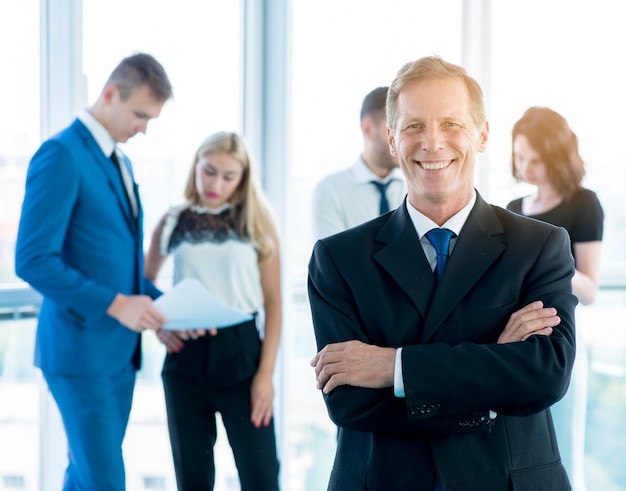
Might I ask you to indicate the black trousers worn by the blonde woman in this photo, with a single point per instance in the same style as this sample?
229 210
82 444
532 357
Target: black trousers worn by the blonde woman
214 374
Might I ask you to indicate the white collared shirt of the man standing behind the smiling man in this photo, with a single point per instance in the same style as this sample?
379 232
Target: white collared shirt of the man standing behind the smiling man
347 198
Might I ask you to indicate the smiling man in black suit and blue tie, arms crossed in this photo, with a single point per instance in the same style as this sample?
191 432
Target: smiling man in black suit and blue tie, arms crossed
442 379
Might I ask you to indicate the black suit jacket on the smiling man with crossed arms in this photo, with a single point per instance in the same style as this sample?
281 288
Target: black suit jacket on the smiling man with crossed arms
373 283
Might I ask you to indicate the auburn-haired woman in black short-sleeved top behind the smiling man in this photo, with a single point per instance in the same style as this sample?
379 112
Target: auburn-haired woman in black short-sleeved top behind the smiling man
545 154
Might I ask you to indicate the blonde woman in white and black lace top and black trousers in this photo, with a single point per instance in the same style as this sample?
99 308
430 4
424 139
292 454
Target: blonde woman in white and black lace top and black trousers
225 237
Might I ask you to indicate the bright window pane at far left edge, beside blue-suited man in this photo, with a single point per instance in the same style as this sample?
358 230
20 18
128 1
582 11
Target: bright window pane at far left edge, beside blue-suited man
19 130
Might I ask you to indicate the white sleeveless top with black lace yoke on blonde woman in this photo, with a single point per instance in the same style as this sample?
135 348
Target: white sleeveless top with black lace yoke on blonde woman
205 245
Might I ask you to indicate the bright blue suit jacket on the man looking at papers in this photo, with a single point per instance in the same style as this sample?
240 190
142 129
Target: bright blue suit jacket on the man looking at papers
79 245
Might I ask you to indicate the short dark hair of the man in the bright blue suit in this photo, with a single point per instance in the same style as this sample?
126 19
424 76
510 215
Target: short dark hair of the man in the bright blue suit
138 70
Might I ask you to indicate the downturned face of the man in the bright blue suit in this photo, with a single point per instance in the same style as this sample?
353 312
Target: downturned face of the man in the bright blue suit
126 118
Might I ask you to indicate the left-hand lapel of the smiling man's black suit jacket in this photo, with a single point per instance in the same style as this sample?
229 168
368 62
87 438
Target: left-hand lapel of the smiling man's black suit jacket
403 258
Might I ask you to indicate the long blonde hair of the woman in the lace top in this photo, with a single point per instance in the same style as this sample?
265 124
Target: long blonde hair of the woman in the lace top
249 207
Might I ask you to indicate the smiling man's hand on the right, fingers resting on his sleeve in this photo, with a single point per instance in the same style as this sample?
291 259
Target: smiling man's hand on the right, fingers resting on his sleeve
532 319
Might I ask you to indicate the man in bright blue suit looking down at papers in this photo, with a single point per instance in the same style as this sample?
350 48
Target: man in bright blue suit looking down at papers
80 245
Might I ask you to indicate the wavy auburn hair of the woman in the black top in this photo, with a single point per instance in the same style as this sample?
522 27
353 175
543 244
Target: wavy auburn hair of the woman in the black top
550 136
